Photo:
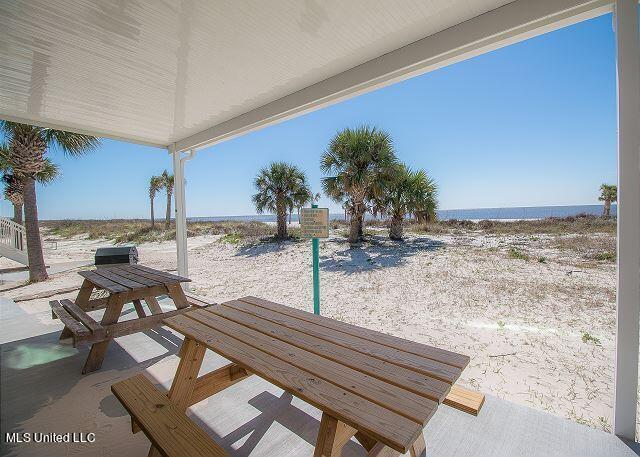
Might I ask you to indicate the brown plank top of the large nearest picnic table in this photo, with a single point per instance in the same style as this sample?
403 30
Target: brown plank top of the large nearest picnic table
384 386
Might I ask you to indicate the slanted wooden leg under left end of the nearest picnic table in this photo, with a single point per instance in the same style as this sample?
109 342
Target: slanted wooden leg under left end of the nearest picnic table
185 378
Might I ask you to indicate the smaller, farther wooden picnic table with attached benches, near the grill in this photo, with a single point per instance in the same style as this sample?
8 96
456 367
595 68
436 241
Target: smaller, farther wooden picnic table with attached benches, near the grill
123 284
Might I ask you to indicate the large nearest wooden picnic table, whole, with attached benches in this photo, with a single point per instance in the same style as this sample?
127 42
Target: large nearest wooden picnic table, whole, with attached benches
378 388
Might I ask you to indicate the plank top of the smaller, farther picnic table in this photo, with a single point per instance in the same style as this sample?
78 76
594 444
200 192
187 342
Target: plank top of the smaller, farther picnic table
120 278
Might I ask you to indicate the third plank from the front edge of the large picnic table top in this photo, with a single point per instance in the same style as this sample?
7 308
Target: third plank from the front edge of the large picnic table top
417 383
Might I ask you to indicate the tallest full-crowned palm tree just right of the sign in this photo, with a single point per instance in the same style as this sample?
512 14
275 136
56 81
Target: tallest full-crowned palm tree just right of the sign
355 160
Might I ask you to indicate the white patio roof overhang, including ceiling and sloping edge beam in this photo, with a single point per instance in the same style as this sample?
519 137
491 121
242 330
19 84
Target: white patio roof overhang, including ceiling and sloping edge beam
193 73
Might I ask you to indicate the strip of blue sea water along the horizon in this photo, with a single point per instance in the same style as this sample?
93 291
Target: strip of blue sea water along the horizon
529 212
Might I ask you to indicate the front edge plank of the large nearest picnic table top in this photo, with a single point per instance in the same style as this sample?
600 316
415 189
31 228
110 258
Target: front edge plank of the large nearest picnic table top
386 426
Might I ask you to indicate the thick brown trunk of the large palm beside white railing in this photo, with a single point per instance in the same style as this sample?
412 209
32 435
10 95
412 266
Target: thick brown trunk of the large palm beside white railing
37 268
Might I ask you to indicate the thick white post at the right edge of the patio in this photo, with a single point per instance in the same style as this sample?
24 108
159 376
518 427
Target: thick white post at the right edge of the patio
628 300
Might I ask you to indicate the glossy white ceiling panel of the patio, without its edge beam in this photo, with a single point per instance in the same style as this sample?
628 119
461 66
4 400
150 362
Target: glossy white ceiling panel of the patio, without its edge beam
157 72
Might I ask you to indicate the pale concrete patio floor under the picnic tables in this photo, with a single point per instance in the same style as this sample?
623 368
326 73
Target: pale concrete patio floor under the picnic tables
43 391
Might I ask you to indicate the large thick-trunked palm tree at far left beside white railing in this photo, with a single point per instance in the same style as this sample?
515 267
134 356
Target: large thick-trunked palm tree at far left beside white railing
28 145
